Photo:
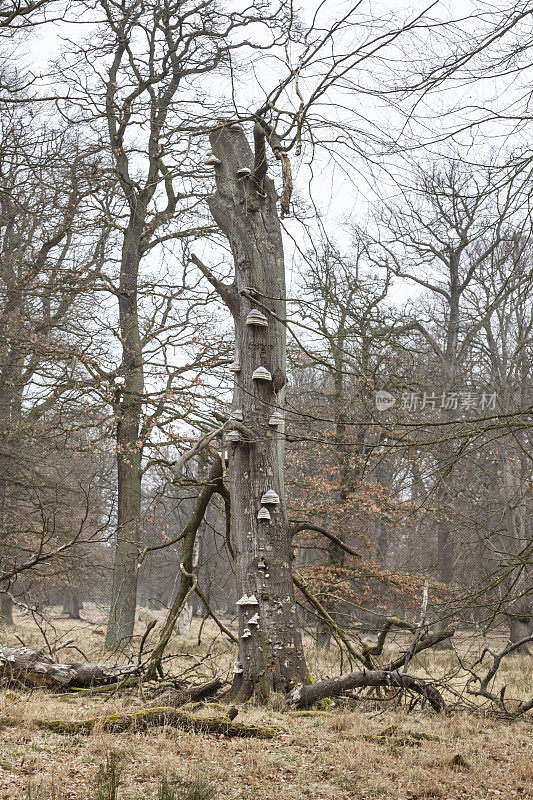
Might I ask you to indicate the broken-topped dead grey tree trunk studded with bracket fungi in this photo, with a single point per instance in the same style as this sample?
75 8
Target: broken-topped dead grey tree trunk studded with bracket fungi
270 651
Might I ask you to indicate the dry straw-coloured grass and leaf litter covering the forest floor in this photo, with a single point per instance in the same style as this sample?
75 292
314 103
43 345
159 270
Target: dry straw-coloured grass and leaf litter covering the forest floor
371 751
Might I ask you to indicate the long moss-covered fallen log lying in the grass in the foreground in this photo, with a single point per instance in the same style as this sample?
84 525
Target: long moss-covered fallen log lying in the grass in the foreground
150 718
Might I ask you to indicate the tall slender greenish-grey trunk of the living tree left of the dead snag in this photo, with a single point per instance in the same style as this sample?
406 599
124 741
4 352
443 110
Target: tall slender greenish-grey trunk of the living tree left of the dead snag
128 405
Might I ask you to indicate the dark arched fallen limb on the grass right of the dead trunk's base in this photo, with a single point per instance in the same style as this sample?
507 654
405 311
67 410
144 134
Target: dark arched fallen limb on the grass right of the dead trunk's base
305 696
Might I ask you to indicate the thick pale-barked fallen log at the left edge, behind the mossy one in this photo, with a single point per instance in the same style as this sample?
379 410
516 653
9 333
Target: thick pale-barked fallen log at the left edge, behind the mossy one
37 669
